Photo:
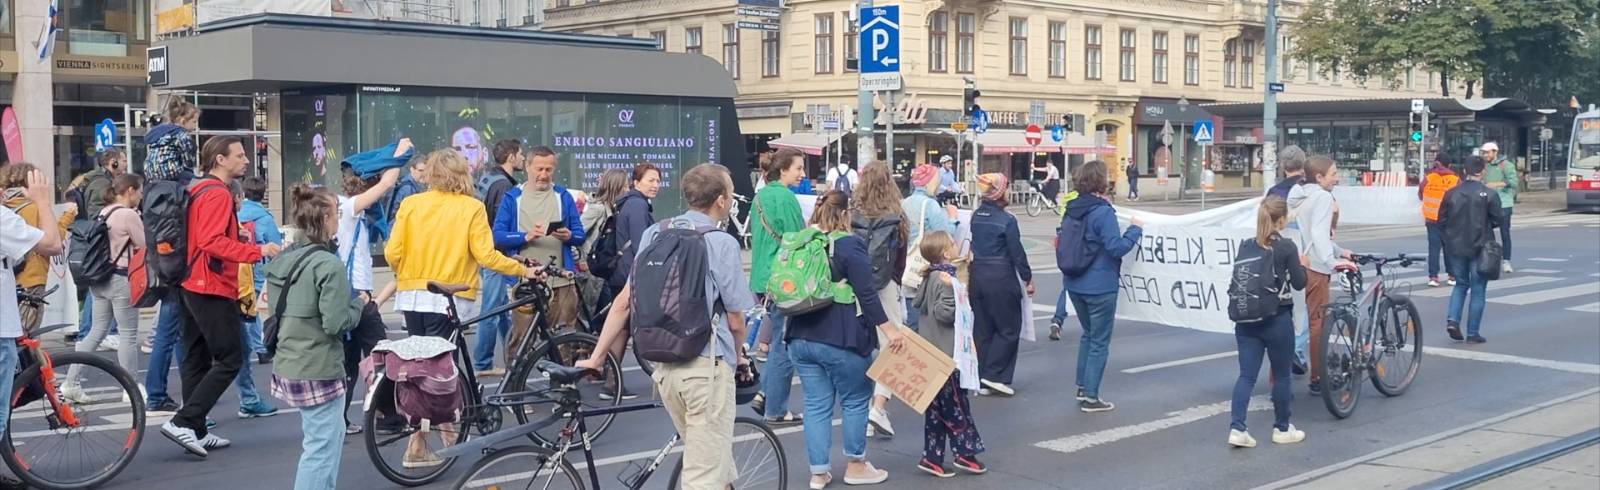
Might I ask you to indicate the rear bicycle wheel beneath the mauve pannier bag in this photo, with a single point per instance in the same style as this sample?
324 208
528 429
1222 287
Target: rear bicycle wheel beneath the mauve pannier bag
388 441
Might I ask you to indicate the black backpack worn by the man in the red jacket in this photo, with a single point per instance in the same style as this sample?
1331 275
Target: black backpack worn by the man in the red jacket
166 212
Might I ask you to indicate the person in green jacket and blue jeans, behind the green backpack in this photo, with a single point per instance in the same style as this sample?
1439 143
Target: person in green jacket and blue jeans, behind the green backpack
775 215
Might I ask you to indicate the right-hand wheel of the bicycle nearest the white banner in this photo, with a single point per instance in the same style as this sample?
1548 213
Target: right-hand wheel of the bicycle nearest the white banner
1399 348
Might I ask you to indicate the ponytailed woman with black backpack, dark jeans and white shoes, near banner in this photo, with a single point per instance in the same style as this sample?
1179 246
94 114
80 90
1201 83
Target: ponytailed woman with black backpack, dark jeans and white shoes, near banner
1274 335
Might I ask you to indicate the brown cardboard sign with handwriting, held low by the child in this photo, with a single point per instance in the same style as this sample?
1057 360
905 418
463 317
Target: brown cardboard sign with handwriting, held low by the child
914 374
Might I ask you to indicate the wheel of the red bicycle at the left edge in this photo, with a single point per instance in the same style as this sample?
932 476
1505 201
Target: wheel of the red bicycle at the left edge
86 441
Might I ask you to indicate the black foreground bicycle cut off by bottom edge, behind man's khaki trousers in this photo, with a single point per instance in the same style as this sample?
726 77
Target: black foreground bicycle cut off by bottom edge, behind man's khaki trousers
761 456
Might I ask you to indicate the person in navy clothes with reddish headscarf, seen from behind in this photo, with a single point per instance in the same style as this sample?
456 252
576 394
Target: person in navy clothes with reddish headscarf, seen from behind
1001 265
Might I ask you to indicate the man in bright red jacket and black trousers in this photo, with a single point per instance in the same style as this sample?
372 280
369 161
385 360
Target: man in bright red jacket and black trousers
210 294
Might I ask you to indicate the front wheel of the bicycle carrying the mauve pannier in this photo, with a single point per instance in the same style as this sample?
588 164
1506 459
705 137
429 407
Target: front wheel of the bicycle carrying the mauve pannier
601 392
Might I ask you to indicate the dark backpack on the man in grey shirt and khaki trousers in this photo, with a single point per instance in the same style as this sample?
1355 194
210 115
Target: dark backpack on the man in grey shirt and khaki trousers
670 318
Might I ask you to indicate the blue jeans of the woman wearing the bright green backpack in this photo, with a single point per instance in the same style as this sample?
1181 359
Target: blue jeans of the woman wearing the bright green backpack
830 372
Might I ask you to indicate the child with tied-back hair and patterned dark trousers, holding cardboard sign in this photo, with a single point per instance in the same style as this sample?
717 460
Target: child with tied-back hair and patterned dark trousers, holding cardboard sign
950 417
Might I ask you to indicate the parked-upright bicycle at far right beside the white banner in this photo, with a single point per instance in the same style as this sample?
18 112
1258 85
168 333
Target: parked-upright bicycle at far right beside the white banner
1370 335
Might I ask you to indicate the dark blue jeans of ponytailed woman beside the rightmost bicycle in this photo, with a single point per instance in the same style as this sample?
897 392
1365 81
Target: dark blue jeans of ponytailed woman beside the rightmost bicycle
1273 337
